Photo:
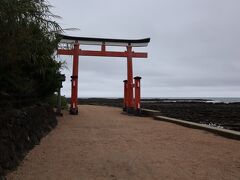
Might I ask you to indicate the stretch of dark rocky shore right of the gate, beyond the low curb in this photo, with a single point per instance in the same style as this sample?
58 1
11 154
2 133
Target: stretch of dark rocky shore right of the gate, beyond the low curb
219 114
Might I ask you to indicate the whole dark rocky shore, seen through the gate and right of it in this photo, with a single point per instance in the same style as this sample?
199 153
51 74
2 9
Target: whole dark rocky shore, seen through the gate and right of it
226 115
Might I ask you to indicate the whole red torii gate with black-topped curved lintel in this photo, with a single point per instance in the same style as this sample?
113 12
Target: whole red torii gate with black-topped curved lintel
69 45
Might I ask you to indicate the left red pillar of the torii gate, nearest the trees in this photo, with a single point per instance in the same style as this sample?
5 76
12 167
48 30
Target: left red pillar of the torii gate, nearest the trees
74 96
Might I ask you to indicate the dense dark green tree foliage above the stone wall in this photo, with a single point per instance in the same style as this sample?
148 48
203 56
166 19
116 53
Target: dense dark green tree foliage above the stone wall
28 70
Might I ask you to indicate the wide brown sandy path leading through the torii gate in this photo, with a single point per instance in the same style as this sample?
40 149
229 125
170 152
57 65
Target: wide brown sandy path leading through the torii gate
103 143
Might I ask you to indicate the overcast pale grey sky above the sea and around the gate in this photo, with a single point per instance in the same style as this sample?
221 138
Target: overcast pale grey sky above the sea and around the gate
194 49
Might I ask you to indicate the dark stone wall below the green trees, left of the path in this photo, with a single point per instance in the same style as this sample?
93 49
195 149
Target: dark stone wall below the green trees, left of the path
20 130
